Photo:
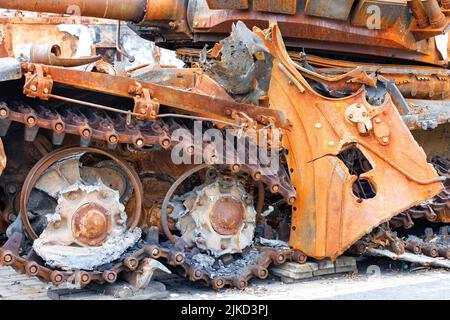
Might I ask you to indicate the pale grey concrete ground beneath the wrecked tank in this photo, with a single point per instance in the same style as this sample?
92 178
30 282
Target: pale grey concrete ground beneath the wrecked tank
423 284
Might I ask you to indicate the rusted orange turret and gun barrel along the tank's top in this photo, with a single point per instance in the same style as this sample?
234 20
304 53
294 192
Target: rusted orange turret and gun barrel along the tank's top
194 21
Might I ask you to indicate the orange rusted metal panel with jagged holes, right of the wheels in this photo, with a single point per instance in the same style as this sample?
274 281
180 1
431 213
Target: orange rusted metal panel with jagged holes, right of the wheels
328 218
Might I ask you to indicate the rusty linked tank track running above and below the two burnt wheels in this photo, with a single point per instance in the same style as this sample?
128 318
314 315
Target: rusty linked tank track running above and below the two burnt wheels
93 125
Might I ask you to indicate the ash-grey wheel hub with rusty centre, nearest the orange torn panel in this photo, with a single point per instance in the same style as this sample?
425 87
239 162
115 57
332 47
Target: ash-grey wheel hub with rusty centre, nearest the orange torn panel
218 217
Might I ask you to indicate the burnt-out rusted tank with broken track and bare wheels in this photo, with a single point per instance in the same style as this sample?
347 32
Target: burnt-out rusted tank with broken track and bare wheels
296 130
